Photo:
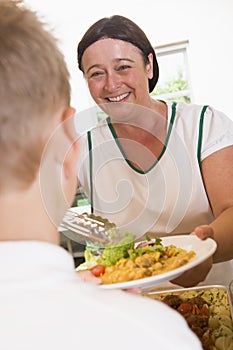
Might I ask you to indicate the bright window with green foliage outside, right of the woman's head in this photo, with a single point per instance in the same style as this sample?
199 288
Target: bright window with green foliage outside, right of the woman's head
173 83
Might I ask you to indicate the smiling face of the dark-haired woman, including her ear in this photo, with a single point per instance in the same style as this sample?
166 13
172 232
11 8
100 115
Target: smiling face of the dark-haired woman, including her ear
116 73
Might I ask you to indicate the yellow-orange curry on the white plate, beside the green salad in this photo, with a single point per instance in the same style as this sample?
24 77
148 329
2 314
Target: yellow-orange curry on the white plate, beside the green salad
146 263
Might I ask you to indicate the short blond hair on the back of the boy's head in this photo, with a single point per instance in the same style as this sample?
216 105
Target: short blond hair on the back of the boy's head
34 84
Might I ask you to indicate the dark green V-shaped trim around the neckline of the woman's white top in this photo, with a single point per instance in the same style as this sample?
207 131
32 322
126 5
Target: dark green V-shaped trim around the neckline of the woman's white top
164 147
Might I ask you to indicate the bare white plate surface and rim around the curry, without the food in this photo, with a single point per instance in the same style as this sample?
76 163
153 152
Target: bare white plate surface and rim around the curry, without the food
203 249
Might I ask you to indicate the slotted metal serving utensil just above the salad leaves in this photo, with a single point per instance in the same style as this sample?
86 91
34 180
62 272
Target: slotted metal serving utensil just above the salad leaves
89 228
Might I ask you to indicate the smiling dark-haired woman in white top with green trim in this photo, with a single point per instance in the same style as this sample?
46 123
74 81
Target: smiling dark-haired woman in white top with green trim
139 166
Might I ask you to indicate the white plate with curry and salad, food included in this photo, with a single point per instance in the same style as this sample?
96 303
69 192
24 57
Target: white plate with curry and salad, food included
148 263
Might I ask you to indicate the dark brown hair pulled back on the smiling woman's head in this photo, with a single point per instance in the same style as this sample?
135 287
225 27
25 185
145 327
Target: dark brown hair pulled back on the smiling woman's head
121 28
